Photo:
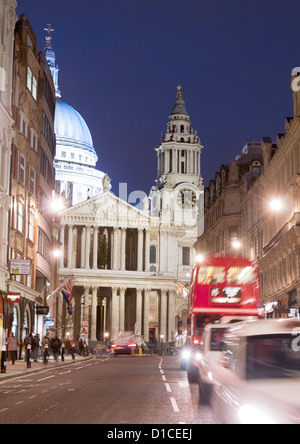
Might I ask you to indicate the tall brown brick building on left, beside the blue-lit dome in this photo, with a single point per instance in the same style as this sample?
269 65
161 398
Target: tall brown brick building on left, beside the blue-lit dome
31 234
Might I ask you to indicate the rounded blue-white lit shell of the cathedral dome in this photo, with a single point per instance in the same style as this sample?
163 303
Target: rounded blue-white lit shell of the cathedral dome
71 129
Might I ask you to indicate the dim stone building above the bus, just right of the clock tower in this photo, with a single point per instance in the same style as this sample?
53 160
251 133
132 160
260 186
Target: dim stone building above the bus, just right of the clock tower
223 220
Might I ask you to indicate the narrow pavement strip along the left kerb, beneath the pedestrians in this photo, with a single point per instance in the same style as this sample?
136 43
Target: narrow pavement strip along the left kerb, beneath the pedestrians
20 367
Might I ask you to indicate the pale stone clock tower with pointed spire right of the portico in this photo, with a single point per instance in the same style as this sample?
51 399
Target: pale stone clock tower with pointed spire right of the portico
177 198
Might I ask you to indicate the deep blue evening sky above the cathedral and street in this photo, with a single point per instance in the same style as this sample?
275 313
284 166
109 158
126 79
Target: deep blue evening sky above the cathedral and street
121 60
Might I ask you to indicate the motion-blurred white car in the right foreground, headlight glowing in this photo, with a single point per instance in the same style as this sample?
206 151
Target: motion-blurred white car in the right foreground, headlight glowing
258 381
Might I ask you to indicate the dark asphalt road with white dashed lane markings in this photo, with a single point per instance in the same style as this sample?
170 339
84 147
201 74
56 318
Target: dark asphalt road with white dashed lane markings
105 390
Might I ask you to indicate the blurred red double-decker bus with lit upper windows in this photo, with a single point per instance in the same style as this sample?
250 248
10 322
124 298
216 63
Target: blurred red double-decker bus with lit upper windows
221 286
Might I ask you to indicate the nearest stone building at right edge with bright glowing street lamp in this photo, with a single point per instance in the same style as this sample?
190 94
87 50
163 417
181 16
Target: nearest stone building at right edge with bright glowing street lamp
271 219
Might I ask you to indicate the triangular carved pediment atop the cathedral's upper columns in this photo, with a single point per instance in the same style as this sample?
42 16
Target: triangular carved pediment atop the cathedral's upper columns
106 210
